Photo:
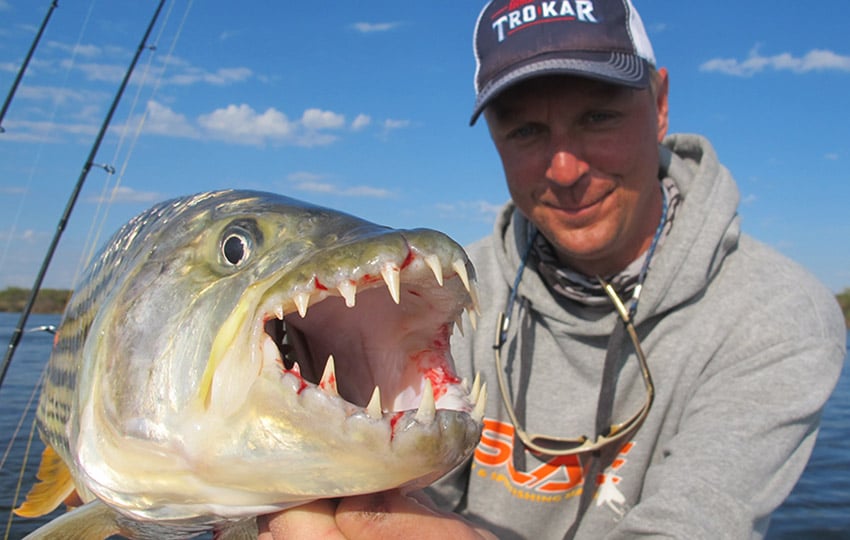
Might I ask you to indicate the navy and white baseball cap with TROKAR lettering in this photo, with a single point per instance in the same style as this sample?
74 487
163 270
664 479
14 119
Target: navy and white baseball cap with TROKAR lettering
516 40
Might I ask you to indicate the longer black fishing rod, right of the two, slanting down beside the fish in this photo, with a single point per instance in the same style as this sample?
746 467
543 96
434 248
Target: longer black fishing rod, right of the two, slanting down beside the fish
72 200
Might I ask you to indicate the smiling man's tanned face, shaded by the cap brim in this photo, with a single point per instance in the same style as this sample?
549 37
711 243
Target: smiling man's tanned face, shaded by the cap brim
581 162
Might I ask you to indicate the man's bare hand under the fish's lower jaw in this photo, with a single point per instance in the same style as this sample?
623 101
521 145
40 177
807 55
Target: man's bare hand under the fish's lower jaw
381 515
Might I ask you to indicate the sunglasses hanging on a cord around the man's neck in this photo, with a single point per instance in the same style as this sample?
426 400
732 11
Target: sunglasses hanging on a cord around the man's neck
559 446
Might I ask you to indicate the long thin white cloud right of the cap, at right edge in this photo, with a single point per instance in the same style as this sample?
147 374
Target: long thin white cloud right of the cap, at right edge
814 60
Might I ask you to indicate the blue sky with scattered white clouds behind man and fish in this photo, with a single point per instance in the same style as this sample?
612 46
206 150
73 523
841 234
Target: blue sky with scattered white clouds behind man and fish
364 107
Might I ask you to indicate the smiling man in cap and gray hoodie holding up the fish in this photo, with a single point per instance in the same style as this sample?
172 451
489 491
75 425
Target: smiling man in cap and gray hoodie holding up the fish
699 394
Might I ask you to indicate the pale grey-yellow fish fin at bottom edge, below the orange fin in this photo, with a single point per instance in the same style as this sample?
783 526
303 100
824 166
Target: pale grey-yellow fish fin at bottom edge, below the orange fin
91 521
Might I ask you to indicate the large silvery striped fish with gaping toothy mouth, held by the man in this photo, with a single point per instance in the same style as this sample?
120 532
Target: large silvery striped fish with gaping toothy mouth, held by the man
233 353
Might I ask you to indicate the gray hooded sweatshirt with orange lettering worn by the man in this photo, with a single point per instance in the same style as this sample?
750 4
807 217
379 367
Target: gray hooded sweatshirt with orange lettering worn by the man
744 347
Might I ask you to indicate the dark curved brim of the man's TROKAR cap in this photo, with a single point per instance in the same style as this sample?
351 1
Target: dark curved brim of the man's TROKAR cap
617 68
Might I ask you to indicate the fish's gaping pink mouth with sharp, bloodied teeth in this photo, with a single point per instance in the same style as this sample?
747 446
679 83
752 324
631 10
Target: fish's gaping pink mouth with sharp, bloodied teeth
376 335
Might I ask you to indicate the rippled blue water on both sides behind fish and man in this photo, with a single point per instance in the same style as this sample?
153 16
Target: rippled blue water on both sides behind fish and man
818 508
